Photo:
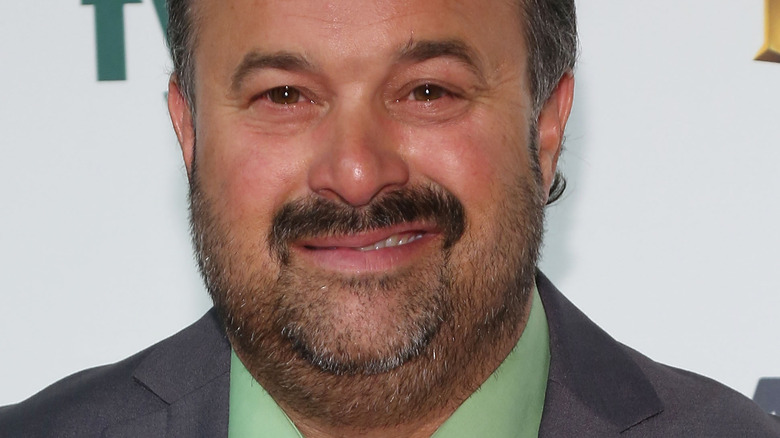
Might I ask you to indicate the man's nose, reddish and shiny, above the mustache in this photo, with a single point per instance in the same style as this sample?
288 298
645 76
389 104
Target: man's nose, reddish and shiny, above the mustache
360 158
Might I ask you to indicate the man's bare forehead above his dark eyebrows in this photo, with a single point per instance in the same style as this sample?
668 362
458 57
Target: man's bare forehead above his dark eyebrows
353 32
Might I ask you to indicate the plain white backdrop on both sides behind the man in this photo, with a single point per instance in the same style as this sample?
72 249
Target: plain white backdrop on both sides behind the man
667 237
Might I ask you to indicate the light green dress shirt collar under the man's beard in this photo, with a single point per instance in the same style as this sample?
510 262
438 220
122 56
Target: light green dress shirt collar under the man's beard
508 404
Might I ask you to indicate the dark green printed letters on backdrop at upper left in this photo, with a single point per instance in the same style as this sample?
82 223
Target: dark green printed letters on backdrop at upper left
110 35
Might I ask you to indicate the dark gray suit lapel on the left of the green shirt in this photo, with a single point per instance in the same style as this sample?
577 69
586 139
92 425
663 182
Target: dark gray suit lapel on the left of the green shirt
190 372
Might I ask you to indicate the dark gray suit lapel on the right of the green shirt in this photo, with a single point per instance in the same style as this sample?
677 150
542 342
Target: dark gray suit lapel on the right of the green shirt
594 387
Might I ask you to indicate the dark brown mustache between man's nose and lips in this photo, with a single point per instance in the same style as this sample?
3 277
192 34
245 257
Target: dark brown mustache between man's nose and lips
315 216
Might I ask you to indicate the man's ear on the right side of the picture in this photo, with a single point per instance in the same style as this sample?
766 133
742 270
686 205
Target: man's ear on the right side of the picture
550 125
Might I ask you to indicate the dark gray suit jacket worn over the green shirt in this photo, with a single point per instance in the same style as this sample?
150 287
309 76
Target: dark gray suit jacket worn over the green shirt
597 388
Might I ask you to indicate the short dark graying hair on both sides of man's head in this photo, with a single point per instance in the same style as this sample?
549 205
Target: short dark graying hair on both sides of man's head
551 37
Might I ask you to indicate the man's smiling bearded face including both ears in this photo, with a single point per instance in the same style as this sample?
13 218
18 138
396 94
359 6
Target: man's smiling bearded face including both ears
365 195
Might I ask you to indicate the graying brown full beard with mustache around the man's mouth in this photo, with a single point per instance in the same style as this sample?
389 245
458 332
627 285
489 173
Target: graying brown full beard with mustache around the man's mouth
379 349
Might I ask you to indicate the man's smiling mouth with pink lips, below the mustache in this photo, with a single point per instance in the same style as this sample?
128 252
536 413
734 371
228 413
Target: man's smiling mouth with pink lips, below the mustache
354 261
